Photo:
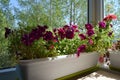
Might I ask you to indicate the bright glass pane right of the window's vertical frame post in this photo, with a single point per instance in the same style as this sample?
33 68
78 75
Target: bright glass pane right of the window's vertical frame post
112 7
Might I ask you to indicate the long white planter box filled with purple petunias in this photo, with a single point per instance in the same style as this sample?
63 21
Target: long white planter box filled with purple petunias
52 69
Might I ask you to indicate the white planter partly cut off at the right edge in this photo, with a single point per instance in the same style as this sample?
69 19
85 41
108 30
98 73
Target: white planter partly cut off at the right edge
115 59
